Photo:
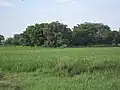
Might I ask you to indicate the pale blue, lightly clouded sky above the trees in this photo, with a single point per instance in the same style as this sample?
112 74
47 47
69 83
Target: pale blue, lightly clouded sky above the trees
16 15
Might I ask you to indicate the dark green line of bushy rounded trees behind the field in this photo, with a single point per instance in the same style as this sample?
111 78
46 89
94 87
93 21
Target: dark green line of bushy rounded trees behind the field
56 34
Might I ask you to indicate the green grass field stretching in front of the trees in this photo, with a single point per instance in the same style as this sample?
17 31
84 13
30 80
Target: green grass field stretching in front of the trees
26 68
